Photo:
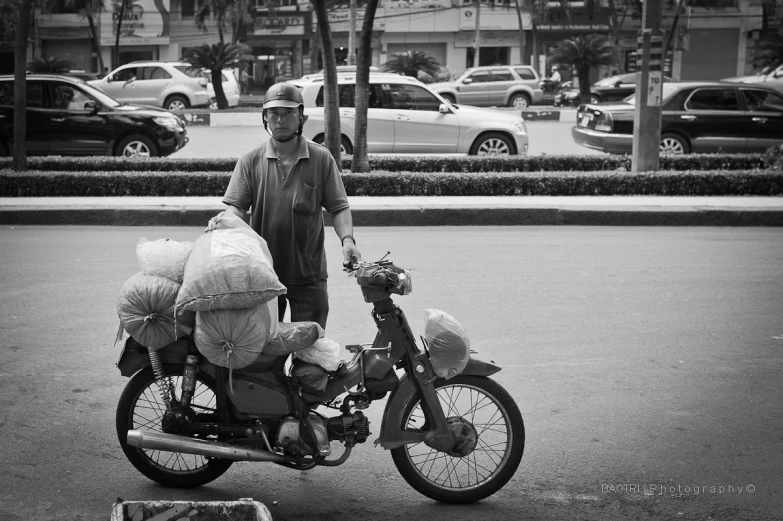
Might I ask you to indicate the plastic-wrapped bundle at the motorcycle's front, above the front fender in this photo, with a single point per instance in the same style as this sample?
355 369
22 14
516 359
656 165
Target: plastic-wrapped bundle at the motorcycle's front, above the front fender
449 344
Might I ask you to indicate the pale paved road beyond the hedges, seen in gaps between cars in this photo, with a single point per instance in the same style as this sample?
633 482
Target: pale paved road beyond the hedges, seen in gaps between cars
552 138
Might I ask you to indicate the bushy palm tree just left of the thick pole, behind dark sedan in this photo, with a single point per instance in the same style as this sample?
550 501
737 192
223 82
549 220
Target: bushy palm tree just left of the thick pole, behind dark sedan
583 53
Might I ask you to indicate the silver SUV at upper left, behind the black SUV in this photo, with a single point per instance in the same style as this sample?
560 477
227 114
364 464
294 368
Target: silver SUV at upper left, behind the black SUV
171 85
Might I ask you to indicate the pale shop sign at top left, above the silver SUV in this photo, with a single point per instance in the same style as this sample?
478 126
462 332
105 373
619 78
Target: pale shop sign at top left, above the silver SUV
144 22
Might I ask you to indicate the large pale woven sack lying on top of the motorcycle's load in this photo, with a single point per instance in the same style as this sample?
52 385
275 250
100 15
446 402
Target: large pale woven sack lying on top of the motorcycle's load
229 268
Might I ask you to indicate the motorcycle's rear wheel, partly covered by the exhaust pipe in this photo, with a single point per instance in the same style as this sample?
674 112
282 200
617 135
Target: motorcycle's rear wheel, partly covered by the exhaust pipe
141 407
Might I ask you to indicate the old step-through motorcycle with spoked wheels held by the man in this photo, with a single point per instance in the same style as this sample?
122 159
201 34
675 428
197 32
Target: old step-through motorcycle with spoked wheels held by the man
183 421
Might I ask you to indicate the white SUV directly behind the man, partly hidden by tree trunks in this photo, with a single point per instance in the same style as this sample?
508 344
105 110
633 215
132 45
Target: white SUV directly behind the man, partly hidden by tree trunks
404 116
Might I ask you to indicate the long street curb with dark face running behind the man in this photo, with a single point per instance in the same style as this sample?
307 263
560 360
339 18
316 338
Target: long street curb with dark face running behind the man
414 216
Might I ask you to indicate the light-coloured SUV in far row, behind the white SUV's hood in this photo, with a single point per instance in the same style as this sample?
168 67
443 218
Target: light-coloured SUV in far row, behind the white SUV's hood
494 86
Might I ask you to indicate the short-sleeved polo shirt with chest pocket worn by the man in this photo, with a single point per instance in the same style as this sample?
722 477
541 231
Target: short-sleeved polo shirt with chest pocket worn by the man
286 208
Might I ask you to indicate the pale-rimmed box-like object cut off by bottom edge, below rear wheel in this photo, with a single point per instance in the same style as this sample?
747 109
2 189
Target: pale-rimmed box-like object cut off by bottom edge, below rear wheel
242 510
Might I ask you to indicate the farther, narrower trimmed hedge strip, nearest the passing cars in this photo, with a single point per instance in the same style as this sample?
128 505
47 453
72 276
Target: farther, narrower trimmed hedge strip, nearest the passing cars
418 164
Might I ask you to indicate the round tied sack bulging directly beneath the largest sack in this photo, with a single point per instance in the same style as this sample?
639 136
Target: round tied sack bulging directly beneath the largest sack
234 338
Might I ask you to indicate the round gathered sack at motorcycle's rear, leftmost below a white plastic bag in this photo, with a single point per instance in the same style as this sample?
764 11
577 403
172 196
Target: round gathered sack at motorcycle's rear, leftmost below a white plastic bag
146 310
